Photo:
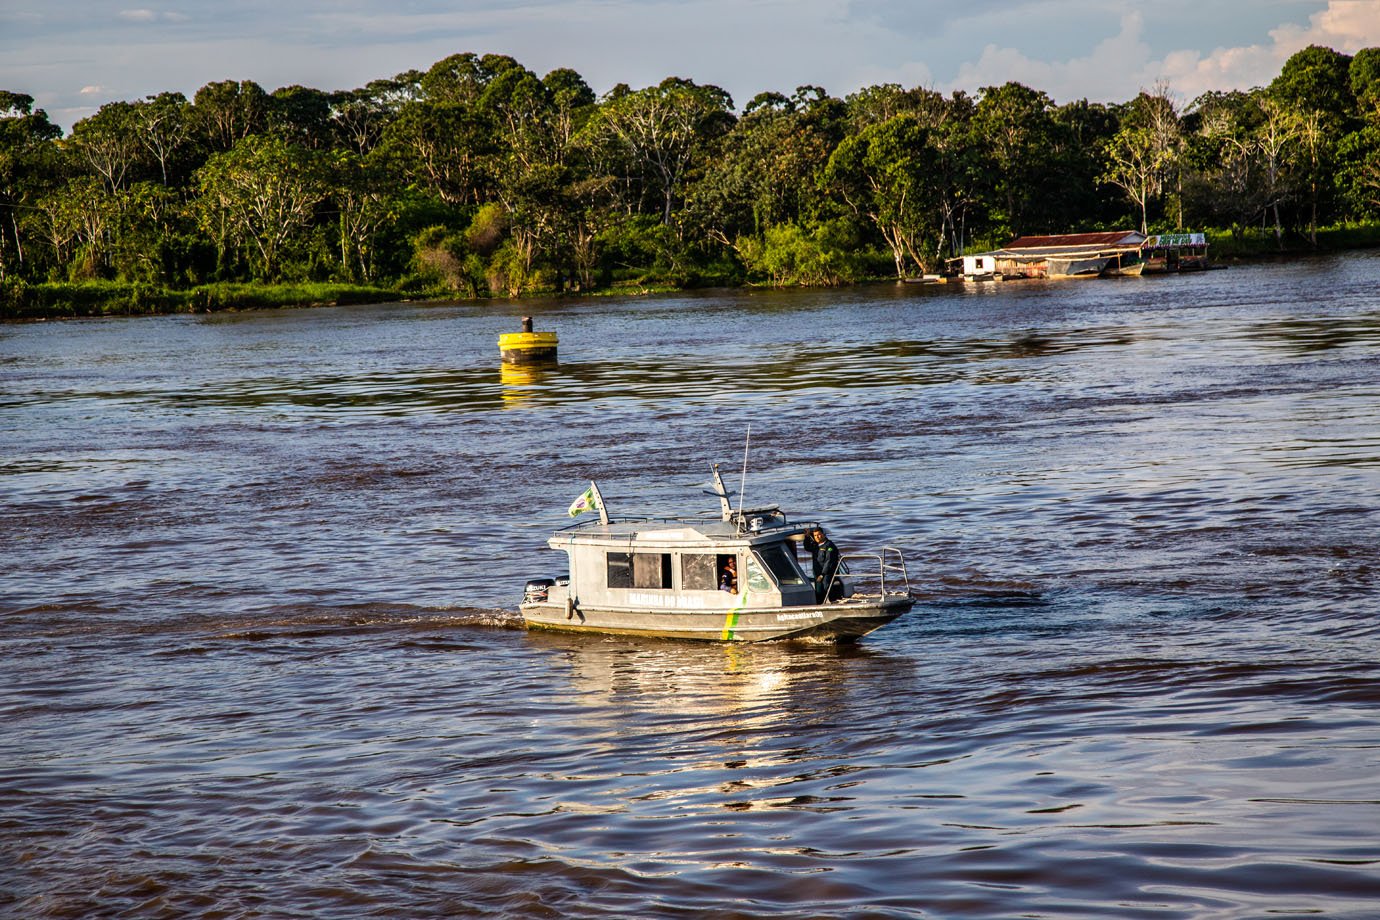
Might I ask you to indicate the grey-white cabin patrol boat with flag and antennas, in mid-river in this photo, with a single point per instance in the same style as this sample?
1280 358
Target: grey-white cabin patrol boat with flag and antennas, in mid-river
733 579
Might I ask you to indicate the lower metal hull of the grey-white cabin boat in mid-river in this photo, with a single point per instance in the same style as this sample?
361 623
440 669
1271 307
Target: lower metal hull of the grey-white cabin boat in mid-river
842 621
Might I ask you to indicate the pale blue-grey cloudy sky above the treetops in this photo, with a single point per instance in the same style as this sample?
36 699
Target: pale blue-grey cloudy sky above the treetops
74 56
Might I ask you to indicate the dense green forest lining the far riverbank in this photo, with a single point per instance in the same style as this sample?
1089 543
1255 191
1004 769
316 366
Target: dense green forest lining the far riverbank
480 179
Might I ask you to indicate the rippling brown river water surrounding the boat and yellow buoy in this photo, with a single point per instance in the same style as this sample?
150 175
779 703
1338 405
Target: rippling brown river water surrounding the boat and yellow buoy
262 659
